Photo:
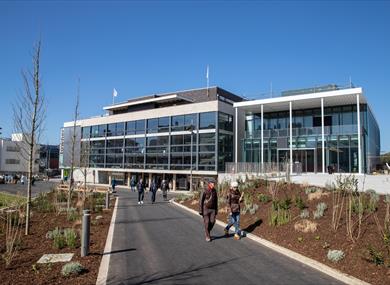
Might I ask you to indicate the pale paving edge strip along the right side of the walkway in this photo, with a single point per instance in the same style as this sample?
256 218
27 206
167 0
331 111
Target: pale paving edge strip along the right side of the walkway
336 274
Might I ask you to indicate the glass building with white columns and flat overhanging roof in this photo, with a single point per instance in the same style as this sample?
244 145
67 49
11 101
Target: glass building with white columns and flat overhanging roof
314 128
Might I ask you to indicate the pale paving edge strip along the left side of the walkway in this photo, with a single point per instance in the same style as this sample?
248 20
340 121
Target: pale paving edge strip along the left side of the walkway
105 262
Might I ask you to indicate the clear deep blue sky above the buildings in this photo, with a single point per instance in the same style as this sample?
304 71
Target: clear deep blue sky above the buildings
141 48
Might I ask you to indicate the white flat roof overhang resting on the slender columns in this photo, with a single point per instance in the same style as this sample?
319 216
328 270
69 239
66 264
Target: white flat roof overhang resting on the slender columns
304 101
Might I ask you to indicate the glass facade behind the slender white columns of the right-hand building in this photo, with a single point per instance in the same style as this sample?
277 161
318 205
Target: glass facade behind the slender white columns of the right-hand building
341 138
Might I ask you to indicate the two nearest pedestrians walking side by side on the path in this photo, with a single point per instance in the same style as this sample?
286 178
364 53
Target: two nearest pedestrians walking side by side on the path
208 209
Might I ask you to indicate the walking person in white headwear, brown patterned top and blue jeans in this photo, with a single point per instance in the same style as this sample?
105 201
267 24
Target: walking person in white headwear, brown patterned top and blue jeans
234 199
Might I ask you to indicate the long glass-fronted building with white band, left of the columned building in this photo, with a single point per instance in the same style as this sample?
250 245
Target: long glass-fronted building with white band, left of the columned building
171 136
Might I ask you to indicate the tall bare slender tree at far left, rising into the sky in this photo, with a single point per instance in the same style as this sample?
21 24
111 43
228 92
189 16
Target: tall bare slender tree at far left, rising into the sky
29 116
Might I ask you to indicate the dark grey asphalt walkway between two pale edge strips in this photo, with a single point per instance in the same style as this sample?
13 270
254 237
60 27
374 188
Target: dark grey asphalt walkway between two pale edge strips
162 244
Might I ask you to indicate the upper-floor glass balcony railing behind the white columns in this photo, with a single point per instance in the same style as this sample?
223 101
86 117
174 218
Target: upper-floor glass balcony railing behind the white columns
314 131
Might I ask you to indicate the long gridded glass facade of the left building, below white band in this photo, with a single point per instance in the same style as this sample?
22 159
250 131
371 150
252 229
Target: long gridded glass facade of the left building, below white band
162 143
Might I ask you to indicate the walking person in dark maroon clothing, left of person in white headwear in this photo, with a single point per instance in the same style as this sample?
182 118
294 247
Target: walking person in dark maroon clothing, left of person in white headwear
208 208
